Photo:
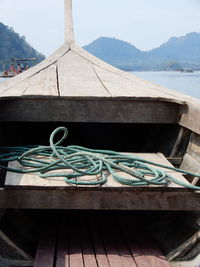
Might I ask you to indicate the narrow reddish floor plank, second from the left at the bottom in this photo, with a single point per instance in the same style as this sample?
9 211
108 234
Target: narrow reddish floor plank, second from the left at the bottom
62 257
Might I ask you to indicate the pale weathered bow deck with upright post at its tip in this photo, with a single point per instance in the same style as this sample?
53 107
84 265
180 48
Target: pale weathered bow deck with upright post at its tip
93 78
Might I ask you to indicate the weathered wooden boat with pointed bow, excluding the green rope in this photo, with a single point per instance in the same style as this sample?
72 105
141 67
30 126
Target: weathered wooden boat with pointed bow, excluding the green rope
102 107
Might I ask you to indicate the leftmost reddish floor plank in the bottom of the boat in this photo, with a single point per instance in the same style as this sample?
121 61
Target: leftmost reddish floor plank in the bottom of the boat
46 246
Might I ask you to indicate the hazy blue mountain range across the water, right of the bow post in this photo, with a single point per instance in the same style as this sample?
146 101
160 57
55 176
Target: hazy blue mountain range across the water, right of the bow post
177 52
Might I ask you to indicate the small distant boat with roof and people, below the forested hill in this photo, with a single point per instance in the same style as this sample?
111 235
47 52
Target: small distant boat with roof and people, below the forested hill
17 66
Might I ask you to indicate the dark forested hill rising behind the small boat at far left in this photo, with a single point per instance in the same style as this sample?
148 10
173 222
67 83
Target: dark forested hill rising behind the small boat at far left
12 45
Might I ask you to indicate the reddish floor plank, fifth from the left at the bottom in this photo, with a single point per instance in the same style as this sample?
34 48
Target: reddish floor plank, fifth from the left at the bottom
100 252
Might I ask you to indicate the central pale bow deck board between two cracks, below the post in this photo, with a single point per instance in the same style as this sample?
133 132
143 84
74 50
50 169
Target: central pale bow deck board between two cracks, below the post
77 78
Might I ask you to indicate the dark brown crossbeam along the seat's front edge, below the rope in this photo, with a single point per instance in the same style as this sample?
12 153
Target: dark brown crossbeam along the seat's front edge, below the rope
141 199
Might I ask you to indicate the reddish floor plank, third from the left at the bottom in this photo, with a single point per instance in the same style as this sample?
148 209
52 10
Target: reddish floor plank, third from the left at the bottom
76 257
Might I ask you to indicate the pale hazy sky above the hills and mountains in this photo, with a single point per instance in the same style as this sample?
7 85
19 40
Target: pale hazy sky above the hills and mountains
144 23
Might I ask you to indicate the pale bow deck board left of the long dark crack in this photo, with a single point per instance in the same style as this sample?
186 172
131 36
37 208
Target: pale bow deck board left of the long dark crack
43 84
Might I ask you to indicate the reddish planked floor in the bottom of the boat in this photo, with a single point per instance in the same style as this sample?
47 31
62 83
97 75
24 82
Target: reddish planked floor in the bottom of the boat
97 239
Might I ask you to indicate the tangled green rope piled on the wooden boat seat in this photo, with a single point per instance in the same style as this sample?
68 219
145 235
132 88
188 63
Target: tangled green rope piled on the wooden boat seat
88 166
